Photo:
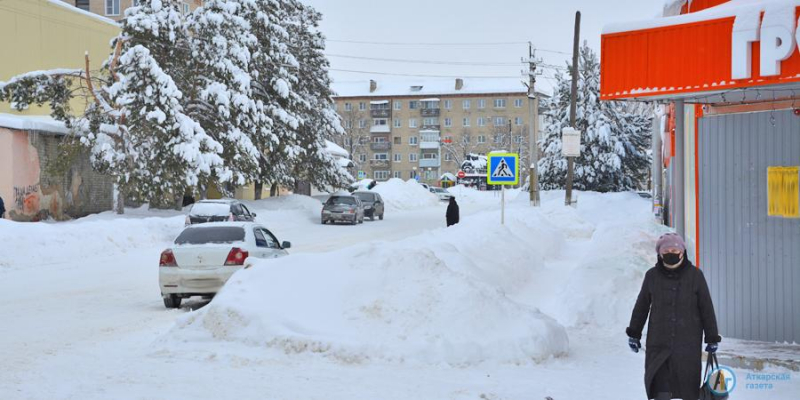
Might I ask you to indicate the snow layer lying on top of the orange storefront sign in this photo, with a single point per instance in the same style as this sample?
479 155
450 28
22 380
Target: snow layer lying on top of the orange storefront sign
732 8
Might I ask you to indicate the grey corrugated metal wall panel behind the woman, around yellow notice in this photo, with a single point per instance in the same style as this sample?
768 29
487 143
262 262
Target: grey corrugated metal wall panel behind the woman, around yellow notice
751 261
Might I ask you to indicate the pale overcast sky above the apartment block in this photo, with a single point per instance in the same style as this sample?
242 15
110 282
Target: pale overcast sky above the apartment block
548 24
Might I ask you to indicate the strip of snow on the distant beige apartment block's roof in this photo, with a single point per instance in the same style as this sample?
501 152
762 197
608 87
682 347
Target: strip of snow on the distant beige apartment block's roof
430 86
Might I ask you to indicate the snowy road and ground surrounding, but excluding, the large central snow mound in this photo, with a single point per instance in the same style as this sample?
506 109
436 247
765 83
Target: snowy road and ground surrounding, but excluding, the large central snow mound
82 317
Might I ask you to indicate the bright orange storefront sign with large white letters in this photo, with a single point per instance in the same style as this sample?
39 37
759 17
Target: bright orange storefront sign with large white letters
716 49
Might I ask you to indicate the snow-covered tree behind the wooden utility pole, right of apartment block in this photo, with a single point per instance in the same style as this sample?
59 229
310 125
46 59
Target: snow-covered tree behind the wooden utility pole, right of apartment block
614 141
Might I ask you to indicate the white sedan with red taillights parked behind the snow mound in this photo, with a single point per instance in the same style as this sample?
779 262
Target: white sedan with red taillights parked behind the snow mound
206 255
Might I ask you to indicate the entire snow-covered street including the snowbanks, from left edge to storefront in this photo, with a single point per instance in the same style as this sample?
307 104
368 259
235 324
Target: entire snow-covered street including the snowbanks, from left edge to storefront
397 309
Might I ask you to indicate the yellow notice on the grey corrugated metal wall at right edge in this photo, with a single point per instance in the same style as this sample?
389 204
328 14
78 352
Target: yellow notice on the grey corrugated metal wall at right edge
783 192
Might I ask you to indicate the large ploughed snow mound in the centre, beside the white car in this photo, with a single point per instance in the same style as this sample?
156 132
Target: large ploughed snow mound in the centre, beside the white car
436 298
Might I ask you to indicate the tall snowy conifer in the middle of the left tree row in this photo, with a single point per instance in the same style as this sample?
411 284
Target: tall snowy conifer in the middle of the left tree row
218 90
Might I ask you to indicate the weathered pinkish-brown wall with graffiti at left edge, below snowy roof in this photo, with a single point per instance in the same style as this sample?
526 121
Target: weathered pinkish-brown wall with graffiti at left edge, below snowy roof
32 192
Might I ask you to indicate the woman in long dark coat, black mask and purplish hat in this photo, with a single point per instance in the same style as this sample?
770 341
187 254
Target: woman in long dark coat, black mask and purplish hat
676 297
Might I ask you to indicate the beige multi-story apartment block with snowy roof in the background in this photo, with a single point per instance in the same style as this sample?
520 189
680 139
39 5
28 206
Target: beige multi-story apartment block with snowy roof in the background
426 128
